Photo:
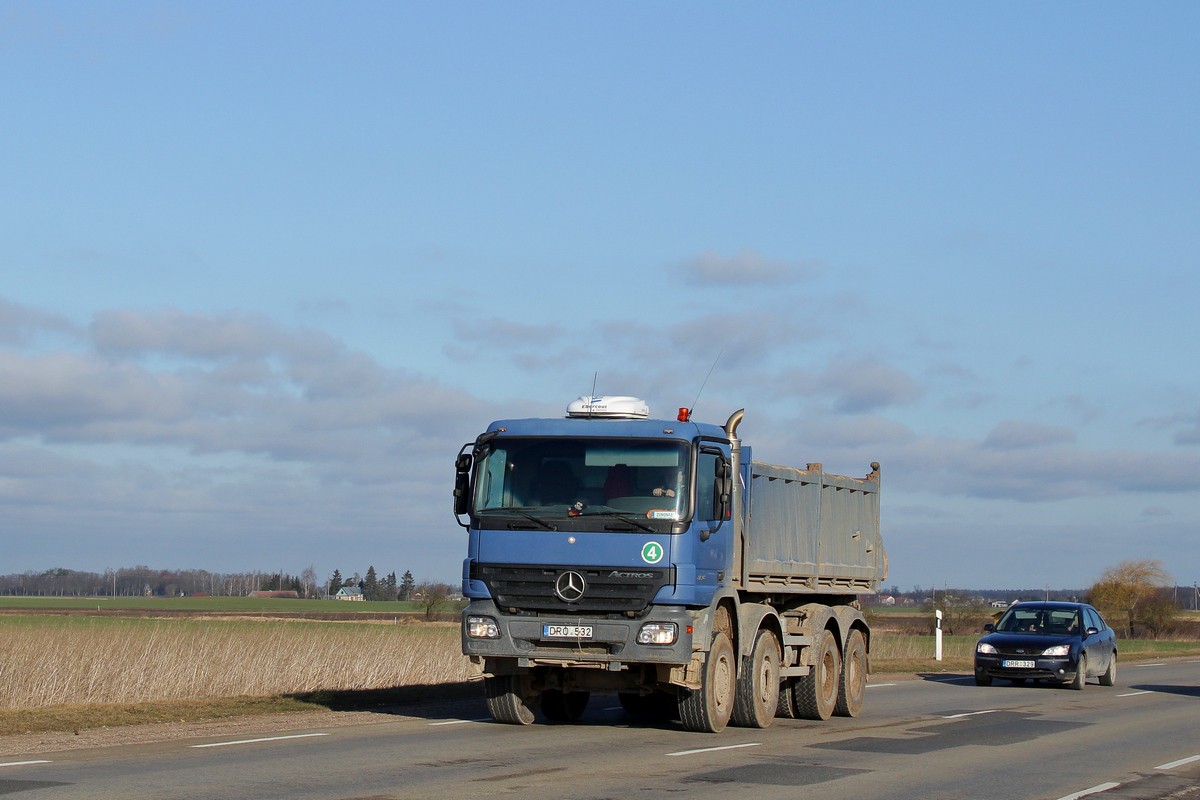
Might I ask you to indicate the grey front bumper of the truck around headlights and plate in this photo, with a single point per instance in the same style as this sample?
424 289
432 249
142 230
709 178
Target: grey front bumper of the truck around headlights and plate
613 645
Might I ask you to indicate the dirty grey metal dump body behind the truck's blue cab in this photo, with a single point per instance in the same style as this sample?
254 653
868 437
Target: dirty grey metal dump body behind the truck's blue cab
812 532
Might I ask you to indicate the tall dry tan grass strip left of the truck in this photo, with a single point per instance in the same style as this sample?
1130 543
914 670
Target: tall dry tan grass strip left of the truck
49 661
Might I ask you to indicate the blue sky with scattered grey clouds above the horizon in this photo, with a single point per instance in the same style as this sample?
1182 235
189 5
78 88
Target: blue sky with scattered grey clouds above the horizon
266 267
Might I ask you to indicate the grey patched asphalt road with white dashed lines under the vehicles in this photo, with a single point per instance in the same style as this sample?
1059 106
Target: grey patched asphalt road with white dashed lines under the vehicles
921 739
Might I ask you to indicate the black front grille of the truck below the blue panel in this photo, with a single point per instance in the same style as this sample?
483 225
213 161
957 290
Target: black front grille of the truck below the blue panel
607 591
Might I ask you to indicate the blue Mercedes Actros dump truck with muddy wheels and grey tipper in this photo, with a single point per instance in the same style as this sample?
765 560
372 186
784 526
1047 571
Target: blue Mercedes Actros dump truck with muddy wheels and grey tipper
610 552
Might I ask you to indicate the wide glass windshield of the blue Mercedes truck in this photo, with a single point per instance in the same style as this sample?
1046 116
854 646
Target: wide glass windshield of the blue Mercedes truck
575 478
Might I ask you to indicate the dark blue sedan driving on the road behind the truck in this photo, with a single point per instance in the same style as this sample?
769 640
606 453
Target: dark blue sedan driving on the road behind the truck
1065 643
